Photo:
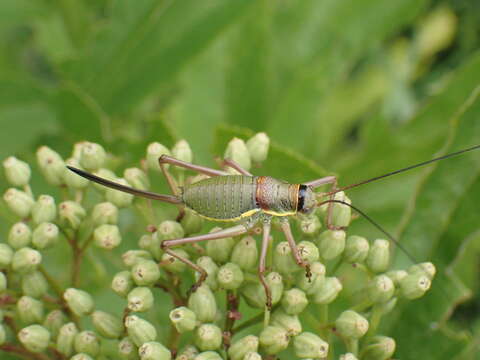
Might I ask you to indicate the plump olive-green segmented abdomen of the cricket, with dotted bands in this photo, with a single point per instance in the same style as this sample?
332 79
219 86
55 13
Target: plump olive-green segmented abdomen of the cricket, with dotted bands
222 197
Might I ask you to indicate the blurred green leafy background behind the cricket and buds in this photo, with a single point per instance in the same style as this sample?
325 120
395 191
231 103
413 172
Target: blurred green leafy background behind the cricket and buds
352 87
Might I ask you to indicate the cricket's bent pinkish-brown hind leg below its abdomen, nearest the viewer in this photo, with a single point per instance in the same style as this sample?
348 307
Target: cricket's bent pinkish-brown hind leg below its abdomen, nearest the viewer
228 232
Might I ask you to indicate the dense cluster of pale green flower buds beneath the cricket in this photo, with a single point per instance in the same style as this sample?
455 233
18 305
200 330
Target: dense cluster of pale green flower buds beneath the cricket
57 315
